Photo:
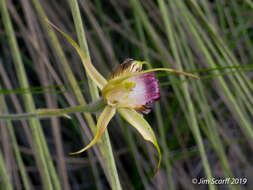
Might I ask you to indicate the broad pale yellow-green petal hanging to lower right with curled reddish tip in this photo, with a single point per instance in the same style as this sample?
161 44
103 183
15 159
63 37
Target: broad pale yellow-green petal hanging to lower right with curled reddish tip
142 126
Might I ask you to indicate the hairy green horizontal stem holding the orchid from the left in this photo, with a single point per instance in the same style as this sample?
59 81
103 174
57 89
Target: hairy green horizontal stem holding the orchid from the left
47 113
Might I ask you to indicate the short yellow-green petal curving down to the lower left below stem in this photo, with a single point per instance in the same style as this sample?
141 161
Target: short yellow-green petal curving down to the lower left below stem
102 123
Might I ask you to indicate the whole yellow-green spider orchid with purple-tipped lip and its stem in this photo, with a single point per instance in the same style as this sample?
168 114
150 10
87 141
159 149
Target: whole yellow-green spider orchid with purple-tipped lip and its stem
130 91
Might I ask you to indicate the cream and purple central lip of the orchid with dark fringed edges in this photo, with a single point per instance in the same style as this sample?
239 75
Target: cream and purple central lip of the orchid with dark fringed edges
138 92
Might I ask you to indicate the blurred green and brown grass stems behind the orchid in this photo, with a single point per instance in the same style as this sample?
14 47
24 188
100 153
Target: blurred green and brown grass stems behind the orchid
204 127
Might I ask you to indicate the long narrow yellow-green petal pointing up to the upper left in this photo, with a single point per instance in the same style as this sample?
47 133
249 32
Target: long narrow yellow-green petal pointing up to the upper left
99 80
